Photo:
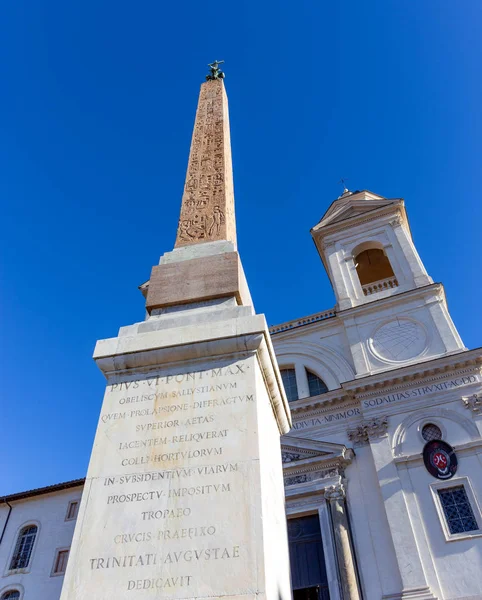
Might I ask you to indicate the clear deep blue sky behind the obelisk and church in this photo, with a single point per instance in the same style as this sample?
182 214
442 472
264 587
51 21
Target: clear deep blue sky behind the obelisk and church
96 115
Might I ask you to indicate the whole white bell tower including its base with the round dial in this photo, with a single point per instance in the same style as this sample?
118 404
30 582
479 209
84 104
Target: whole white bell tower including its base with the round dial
393 312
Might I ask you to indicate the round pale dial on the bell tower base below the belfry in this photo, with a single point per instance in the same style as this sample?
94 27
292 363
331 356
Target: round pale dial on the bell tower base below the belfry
399 340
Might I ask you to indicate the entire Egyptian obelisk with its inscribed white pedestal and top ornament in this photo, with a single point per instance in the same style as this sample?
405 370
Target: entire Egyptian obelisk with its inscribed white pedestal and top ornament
184 493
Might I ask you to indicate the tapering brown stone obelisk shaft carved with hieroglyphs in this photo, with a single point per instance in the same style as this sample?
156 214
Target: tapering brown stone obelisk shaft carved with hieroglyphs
207 211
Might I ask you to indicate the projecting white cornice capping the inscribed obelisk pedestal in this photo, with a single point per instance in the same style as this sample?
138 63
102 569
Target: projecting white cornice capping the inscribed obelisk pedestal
146 352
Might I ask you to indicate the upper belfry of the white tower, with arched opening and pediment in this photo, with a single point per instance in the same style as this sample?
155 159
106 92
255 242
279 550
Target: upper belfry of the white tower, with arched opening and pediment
366 245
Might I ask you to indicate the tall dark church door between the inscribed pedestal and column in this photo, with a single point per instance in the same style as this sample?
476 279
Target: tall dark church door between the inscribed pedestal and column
308 571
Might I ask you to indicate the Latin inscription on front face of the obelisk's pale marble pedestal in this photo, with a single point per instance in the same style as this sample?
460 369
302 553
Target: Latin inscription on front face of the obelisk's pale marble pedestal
177 450
